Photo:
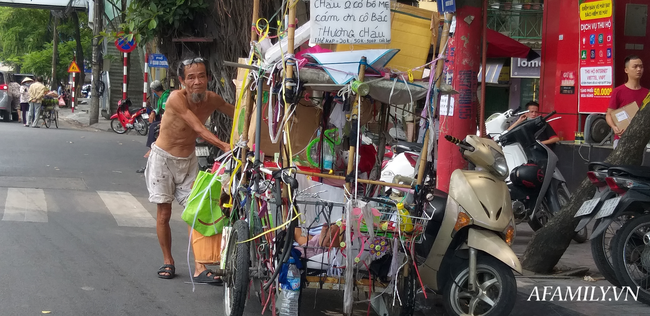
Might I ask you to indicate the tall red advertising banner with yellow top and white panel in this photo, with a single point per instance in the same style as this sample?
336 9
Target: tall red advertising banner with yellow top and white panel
596 55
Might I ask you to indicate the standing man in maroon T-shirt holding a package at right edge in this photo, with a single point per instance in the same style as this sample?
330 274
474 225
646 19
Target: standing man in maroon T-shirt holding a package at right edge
627 93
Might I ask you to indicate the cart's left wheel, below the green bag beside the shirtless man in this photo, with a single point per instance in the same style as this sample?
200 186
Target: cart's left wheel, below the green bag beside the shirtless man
237 267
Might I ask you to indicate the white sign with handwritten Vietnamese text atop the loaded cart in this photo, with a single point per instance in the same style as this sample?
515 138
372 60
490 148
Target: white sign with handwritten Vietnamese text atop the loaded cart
350 21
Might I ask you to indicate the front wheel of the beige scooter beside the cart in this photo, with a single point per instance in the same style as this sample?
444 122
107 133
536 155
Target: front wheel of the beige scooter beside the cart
497 289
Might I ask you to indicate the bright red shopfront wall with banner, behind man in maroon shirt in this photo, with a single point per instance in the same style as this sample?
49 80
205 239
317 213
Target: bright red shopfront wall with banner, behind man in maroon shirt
585 45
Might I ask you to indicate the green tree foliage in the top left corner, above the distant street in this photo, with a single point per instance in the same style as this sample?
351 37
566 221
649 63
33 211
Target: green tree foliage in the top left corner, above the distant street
26 40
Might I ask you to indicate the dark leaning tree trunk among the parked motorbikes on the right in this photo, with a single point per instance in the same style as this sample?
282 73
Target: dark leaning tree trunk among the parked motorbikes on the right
550 242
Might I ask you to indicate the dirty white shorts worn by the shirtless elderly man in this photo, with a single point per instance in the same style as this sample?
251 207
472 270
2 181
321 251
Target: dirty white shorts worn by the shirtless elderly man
169 177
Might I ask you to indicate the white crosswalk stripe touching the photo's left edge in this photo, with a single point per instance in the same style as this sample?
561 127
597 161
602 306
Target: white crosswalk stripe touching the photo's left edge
25 205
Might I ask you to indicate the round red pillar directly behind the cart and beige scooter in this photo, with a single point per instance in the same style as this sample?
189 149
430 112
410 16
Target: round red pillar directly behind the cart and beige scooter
463 63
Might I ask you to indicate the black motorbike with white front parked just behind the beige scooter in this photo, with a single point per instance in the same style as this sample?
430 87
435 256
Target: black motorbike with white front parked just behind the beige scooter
536 185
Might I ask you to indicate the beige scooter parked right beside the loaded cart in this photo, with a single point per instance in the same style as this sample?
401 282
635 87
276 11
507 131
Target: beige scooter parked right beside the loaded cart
466 254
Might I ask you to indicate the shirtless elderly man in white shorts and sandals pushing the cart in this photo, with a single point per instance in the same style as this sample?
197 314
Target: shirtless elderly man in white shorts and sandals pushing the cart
172 166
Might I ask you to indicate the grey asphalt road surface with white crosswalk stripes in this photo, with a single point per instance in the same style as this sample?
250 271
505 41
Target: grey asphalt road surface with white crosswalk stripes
68 246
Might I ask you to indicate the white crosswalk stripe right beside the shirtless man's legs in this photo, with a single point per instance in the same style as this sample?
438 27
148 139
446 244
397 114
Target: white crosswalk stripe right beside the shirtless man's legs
126 210
